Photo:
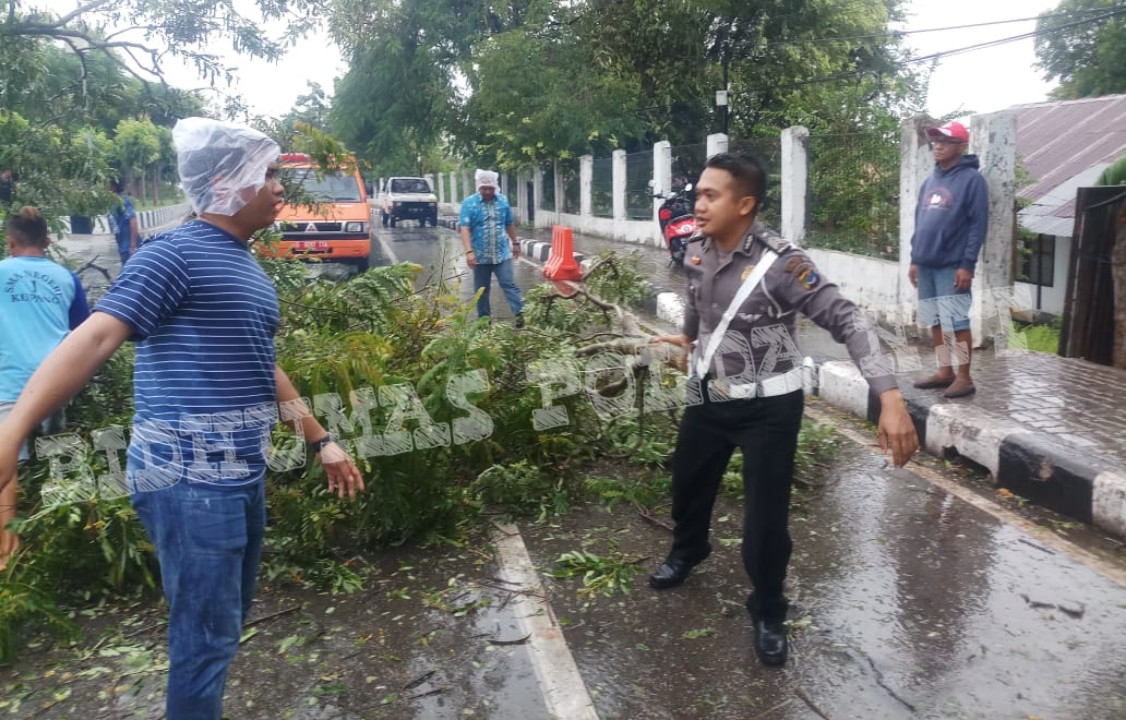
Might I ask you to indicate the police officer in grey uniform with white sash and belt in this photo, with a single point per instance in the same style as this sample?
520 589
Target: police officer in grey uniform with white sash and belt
746 286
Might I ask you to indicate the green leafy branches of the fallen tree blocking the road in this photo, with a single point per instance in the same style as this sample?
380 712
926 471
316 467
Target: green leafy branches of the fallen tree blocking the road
370 353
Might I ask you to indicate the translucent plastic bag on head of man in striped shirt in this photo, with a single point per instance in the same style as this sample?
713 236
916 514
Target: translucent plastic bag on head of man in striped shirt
222 165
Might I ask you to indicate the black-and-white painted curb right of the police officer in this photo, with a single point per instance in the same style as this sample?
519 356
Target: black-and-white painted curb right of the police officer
1032 465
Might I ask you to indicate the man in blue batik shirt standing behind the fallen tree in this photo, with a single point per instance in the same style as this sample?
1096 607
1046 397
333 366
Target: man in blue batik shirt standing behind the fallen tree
489 239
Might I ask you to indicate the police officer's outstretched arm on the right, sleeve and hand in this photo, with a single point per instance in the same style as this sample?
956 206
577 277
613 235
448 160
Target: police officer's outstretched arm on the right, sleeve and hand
800 287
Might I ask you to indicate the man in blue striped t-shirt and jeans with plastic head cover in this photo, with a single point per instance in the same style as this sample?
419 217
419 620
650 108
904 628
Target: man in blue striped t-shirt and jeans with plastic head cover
203 316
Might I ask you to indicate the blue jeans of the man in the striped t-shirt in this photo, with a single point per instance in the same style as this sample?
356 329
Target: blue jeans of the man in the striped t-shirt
209 540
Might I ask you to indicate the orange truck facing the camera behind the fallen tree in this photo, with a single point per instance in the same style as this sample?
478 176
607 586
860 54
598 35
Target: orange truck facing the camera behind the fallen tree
336 226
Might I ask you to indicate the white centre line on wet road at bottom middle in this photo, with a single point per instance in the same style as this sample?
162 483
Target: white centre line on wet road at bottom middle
565 692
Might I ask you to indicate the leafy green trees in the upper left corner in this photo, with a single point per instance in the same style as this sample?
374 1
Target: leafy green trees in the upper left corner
84 97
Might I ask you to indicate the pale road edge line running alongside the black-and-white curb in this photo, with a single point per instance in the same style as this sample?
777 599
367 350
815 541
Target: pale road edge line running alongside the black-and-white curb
1107 570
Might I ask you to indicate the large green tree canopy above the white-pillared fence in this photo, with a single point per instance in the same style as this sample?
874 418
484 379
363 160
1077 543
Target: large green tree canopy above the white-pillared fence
526 82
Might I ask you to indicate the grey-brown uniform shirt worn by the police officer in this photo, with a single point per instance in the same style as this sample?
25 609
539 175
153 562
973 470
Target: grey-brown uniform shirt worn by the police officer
762 341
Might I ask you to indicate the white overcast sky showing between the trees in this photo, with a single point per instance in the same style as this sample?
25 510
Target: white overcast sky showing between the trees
979 82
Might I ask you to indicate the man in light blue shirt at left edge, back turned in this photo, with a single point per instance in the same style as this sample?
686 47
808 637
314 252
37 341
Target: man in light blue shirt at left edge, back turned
41 301
